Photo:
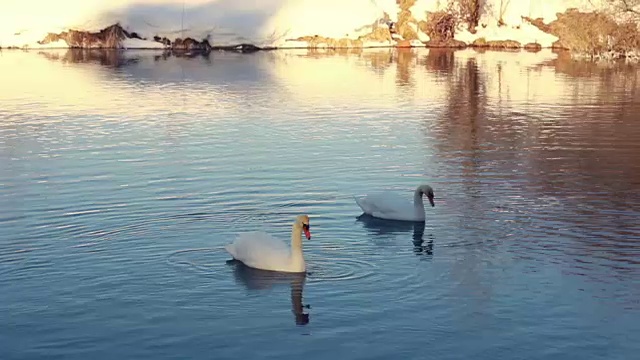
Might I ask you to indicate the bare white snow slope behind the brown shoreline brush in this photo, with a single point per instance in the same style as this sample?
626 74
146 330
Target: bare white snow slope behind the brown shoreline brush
261 22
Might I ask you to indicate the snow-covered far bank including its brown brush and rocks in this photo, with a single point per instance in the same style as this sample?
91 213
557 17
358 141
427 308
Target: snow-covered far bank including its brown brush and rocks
202 24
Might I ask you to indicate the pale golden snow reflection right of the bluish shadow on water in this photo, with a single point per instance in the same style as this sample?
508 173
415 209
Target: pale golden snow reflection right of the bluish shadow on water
422 76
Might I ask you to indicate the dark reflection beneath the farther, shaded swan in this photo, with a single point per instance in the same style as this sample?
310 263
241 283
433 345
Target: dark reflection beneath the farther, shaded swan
383 227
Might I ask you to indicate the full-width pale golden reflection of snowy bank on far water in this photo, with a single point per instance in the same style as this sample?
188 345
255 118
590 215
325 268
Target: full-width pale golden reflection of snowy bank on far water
363 80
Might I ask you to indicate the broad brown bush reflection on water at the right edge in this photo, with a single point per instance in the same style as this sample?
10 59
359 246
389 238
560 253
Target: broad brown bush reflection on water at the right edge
595 139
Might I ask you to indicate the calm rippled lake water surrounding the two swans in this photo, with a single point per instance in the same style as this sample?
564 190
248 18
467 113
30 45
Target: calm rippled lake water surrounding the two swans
123 175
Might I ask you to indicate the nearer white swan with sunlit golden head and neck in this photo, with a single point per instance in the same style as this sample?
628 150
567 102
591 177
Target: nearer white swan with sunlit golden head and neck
260 250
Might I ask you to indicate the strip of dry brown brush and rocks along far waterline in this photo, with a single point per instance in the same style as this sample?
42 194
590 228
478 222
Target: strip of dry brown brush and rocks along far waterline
606 40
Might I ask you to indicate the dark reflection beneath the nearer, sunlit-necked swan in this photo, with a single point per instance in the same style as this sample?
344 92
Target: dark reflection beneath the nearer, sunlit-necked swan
255 279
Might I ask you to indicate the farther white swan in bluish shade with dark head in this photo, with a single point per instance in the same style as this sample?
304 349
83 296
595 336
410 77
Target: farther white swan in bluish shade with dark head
390 206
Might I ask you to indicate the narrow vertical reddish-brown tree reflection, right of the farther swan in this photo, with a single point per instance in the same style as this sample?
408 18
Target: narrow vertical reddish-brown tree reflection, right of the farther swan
460 130
